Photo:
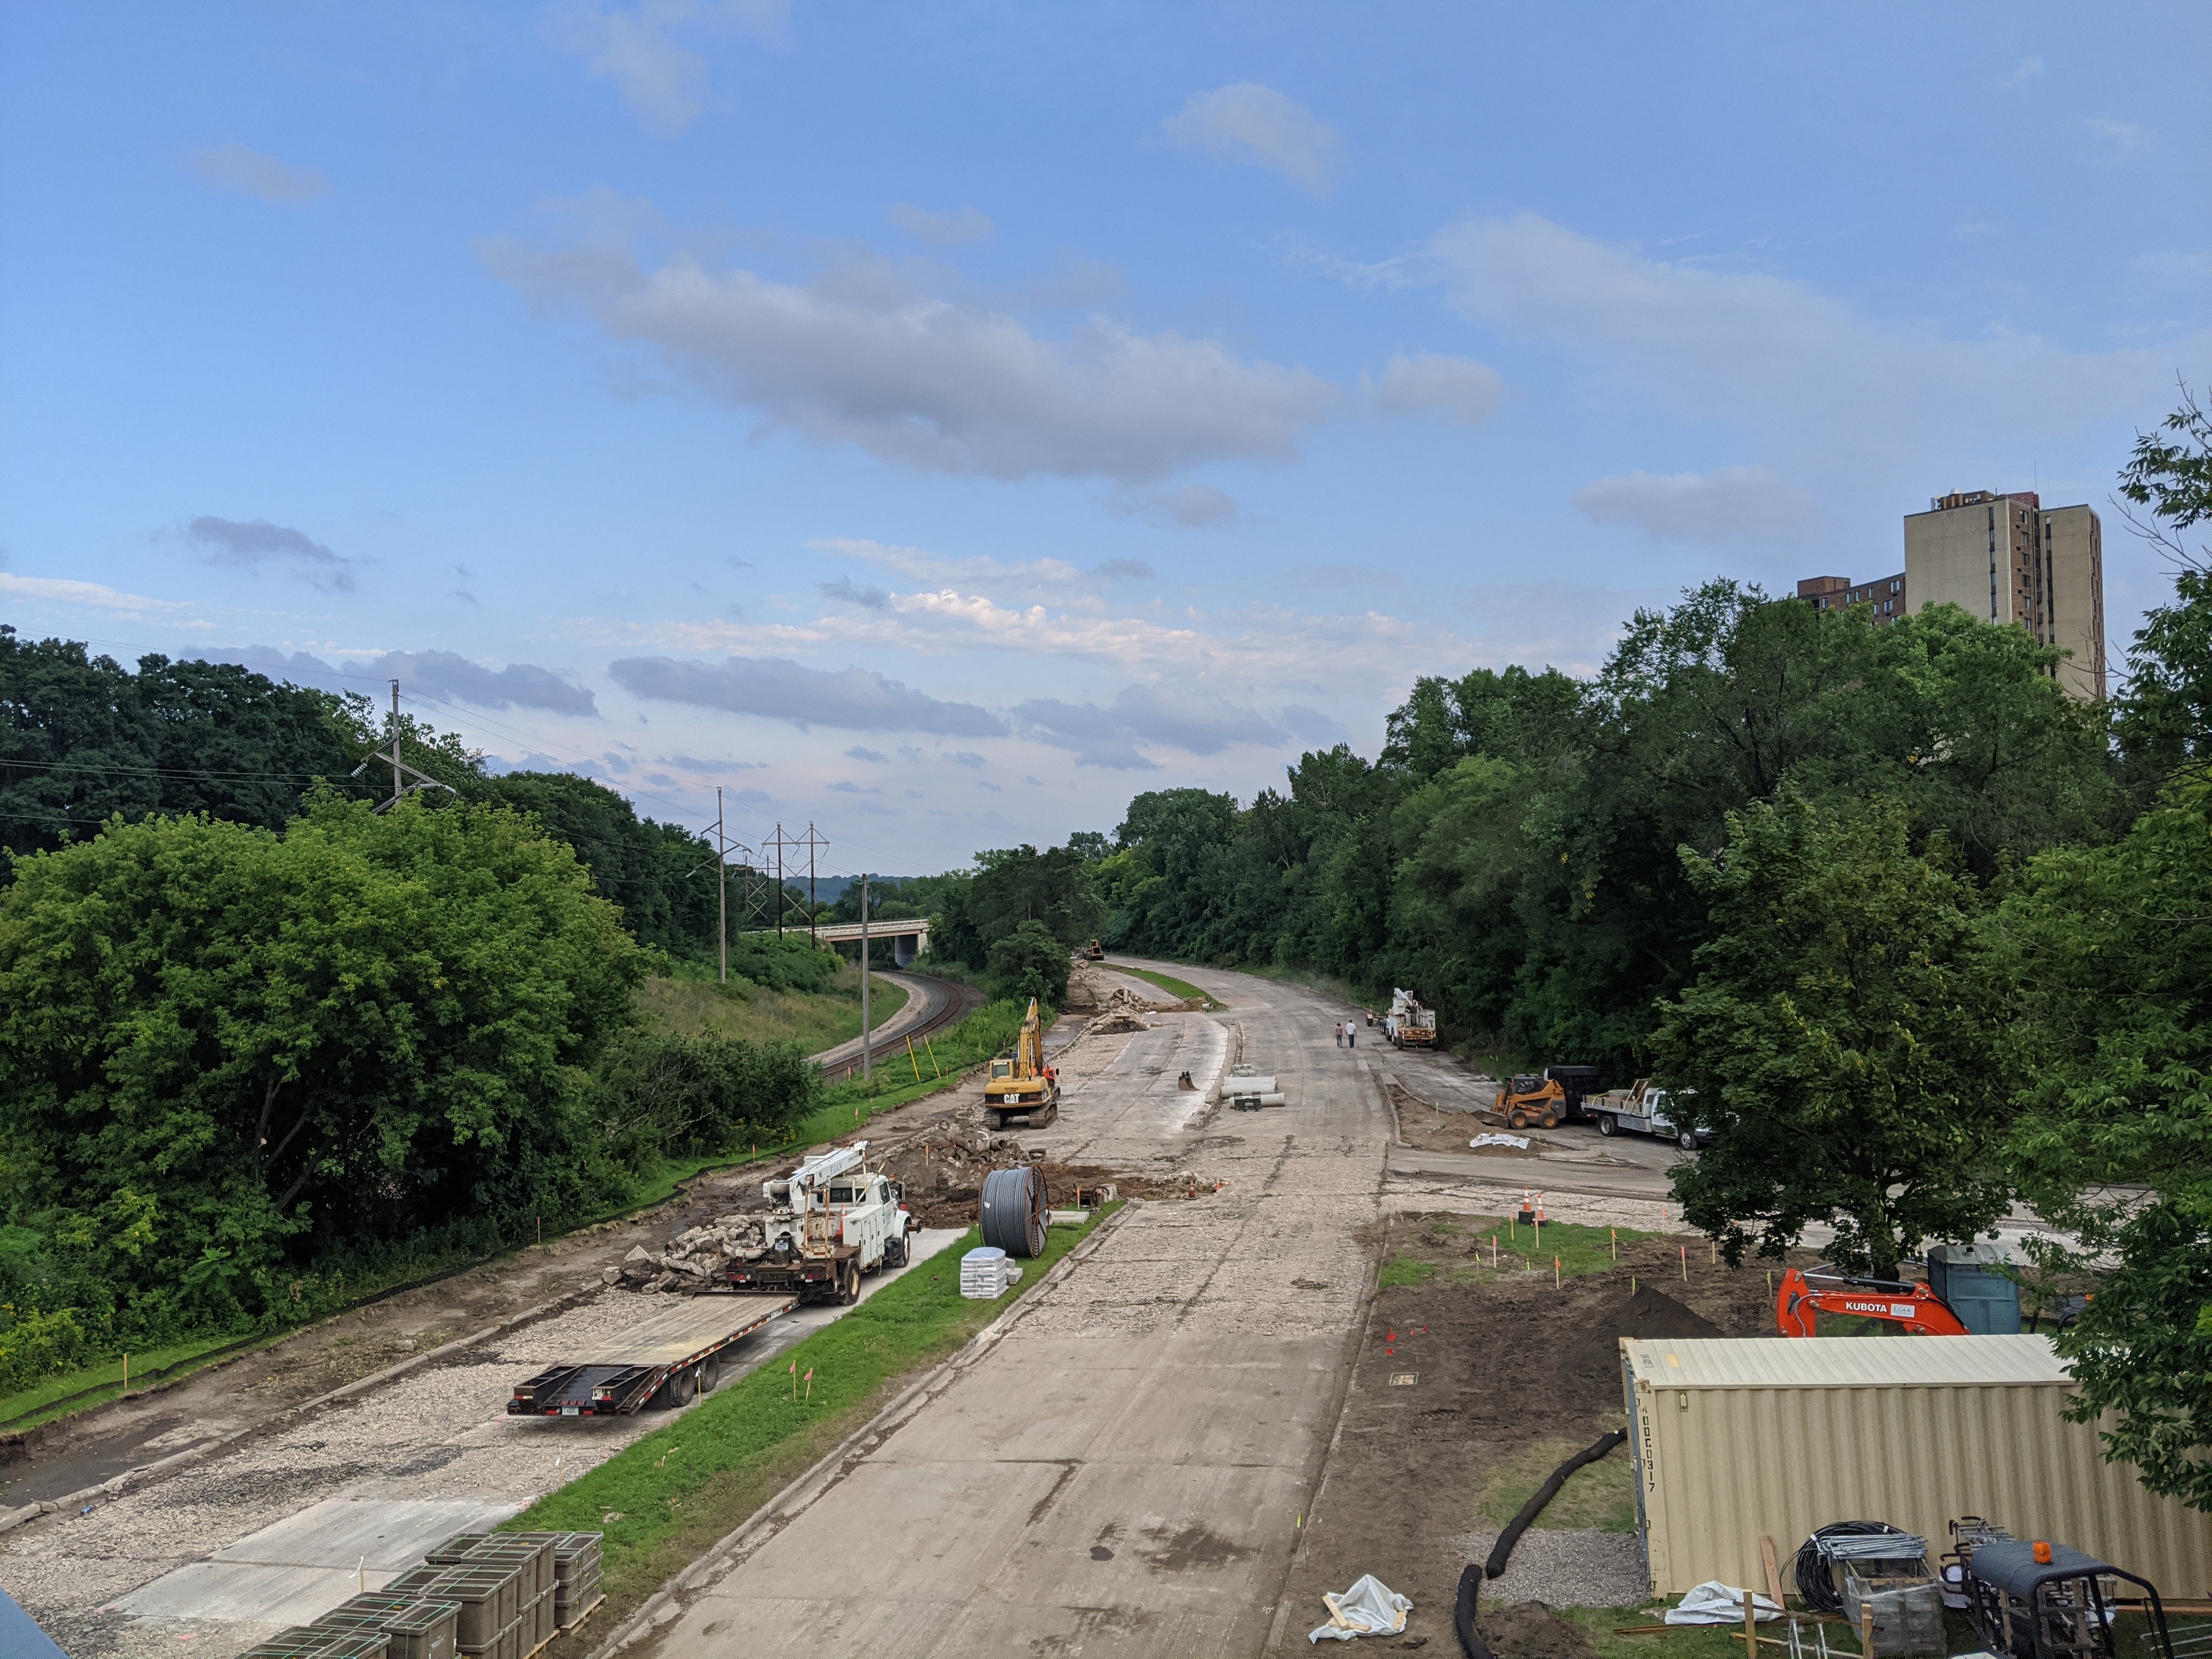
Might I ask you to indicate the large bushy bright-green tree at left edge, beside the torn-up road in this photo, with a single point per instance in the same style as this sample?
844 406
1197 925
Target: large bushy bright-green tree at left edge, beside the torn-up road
227 1050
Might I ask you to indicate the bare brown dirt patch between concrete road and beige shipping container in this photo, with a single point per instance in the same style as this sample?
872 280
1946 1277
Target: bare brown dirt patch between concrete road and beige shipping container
1463 1388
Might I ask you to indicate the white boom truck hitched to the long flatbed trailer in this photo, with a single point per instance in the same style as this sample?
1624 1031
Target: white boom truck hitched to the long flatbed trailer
831 1222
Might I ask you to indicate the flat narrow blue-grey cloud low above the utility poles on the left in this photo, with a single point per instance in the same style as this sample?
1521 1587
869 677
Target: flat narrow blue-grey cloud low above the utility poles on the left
778 689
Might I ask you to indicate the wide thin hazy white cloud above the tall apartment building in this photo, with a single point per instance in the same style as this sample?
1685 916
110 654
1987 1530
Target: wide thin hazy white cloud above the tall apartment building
1813 375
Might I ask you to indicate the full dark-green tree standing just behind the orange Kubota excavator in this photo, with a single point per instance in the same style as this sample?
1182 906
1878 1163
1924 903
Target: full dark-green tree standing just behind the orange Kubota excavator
1837 1043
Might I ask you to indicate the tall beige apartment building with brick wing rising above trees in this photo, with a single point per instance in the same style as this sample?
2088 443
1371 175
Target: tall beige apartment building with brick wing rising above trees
2005 559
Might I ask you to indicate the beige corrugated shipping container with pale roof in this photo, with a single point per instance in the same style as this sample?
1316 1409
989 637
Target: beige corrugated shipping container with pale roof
1746 1437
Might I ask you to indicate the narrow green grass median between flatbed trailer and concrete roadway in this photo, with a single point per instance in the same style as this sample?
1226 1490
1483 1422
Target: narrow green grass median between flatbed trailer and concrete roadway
669 1496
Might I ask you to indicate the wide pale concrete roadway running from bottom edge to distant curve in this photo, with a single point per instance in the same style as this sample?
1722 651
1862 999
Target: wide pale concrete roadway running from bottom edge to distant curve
1125 1468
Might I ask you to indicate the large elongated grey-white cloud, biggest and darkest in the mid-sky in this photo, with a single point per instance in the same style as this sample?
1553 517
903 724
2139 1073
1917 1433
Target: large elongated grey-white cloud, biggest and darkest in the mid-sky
926 382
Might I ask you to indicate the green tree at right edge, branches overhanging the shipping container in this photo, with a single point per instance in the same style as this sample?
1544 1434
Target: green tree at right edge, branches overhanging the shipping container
2109 959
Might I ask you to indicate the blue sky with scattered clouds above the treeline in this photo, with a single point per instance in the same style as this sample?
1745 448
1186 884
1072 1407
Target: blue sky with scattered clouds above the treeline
939 424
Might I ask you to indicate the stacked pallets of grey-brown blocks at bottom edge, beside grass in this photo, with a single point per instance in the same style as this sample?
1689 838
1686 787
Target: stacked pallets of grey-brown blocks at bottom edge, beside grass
492 1596
